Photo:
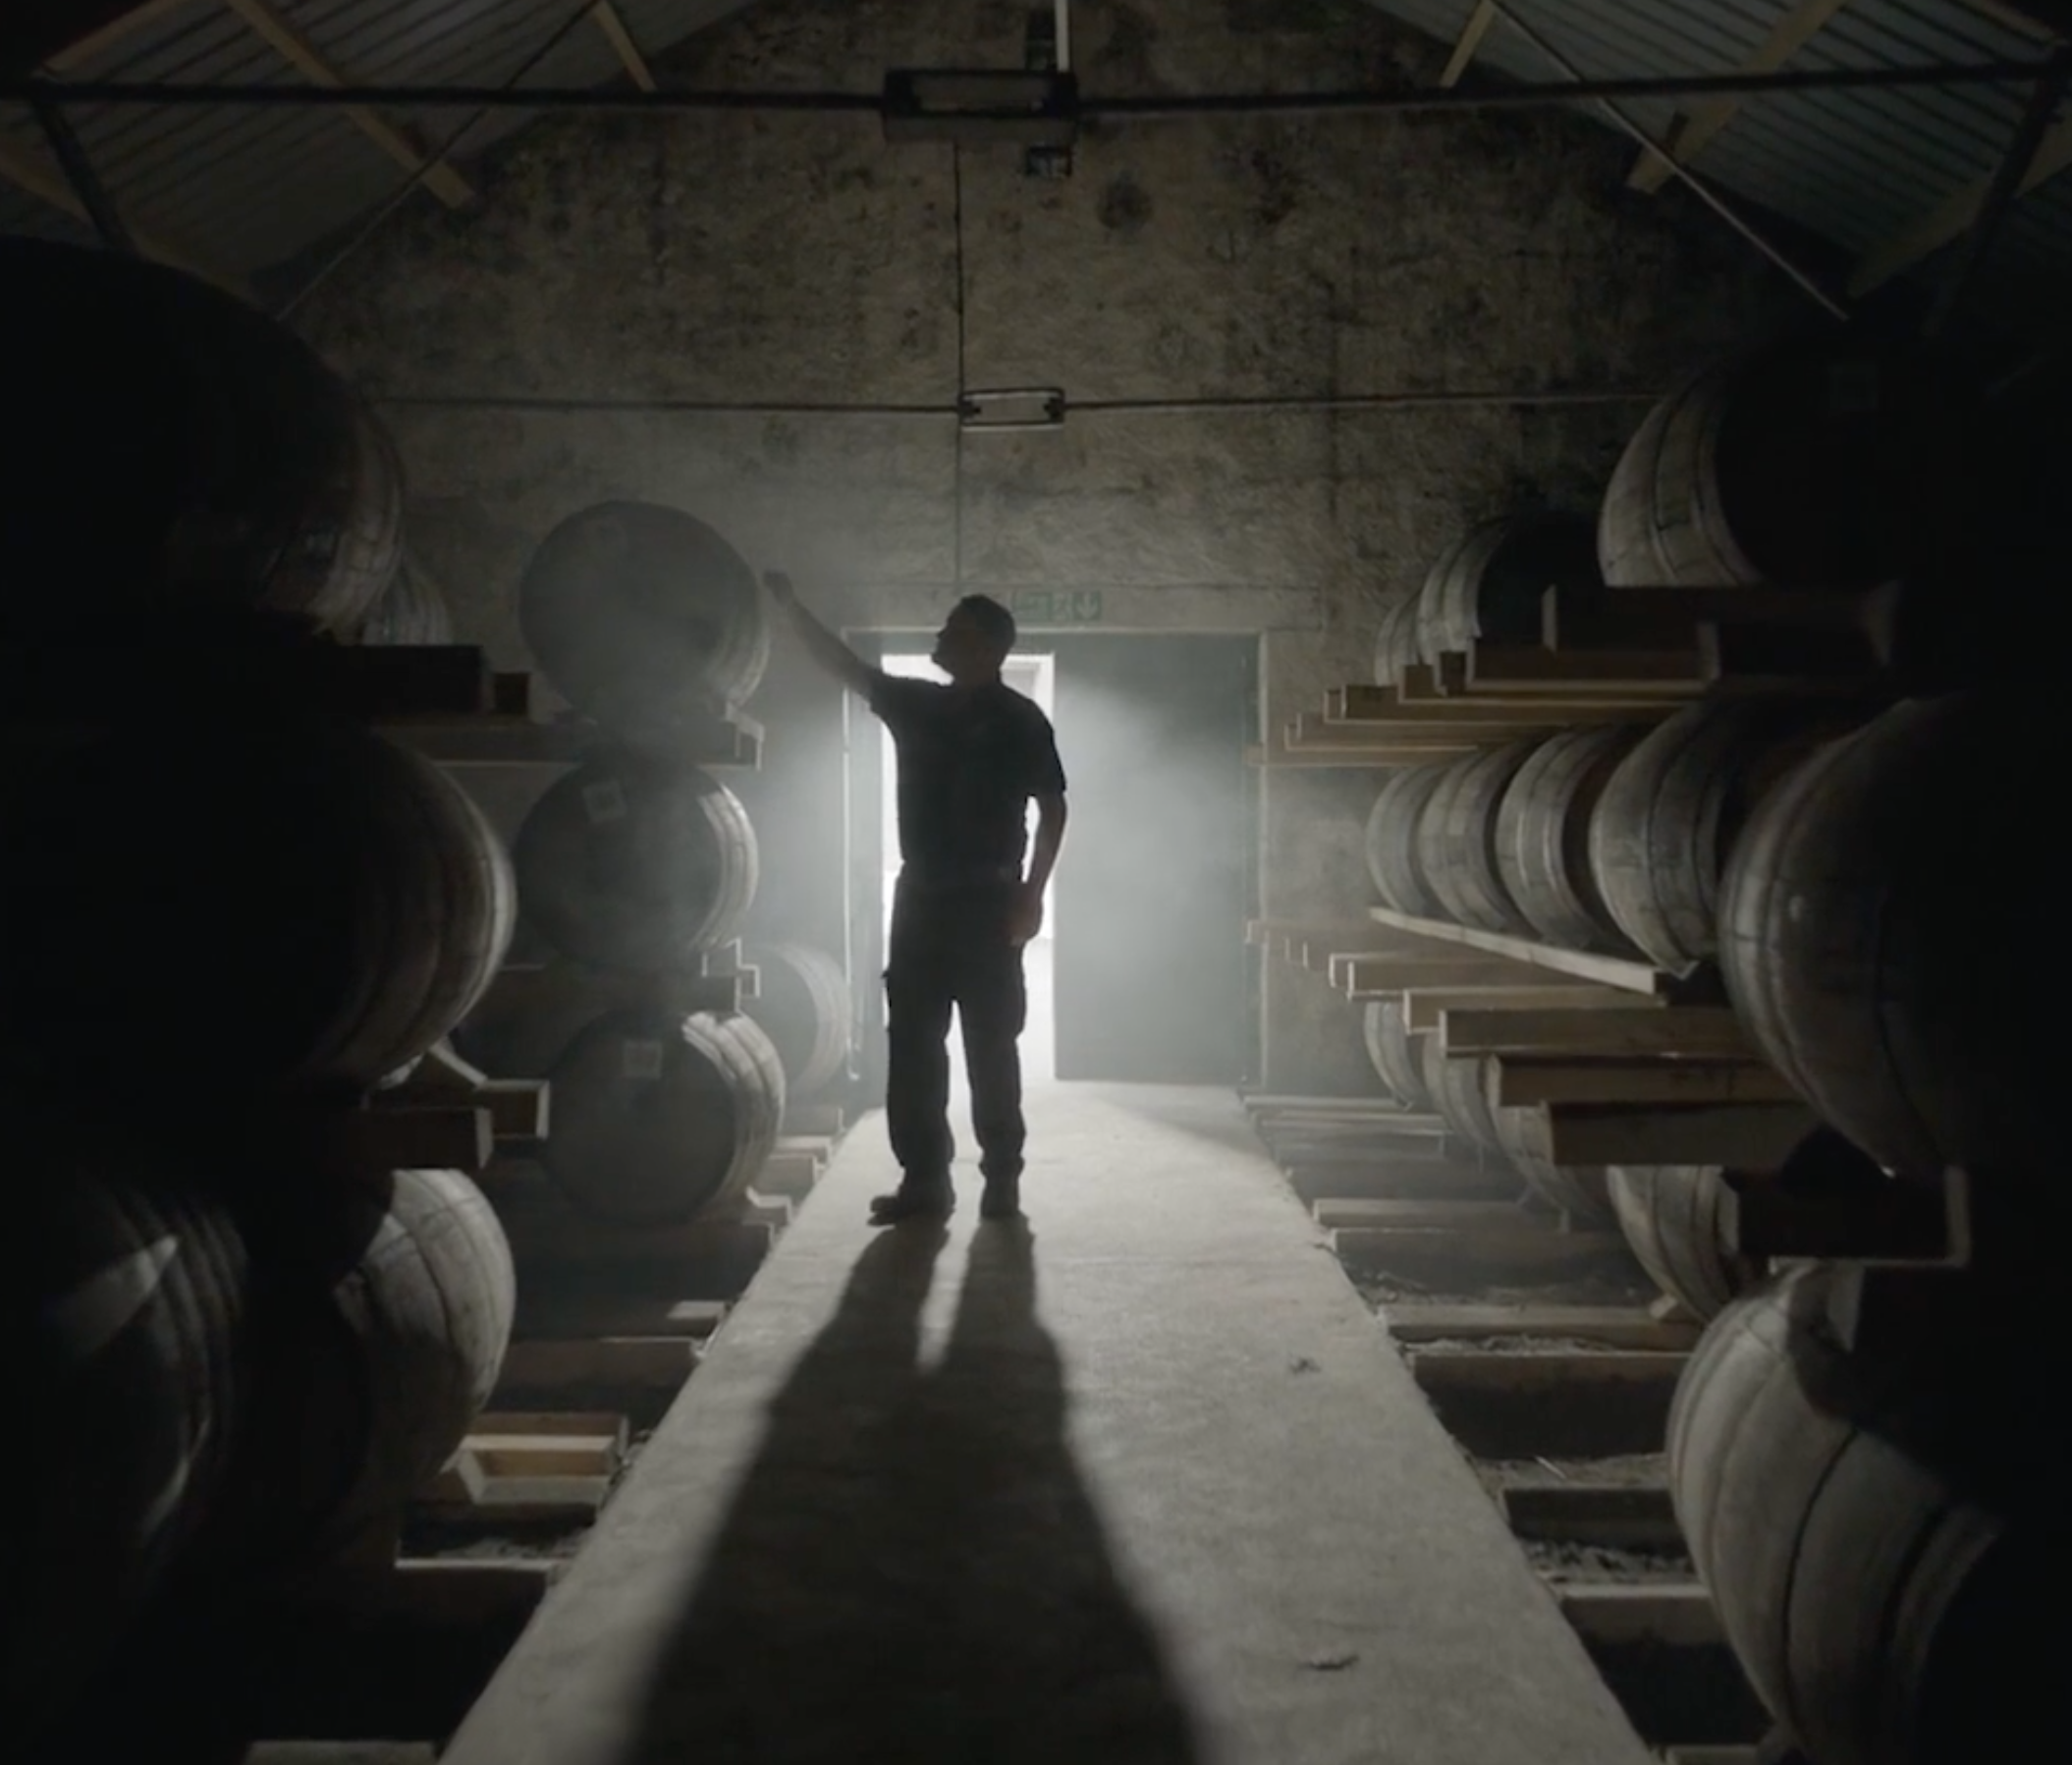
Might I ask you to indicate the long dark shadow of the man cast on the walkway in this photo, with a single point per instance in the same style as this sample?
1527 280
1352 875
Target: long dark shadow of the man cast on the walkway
913 1569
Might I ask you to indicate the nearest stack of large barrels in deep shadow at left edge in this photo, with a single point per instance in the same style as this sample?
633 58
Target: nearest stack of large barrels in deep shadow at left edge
235 913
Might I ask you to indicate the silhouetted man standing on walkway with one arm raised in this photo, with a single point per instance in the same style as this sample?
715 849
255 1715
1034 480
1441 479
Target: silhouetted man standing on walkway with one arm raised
971 759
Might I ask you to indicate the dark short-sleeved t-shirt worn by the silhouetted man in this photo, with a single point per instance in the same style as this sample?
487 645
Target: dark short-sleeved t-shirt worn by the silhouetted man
969 765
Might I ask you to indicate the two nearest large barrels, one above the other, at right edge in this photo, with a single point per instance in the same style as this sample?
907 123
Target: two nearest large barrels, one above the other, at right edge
1887 939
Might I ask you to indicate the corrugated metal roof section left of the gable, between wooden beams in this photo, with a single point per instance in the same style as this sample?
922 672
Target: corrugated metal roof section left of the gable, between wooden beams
248 190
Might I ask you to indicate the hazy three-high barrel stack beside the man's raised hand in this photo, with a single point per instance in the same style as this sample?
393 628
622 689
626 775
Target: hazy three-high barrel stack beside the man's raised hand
637 867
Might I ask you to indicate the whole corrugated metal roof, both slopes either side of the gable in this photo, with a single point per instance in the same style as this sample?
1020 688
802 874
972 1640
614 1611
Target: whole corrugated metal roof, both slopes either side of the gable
246 190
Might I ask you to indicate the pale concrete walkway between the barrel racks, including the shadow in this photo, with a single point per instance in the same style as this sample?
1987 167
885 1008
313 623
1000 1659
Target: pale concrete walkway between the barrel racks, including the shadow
1141 1480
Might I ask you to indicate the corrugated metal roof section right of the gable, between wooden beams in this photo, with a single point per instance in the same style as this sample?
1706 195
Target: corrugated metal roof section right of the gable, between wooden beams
1853 167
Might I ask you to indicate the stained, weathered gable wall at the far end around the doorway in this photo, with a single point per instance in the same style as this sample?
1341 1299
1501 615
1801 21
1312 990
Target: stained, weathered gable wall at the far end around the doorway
565 345
